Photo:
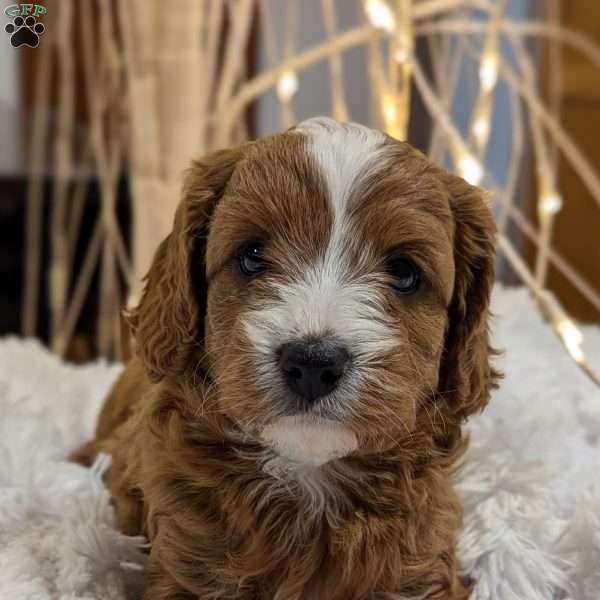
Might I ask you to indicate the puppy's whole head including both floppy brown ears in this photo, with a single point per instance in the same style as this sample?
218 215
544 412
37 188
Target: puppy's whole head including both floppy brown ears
334 284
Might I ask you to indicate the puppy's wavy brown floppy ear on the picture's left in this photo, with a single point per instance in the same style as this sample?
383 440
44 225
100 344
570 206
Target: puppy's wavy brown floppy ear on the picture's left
168 323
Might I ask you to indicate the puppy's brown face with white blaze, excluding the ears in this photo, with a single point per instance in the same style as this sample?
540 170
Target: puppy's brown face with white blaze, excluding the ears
330 270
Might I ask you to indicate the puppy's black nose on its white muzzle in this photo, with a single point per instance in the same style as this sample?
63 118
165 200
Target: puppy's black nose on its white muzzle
312 369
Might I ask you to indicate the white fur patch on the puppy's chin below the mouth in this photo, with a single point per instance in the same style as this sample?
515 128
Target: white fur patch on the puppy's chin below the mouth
309 441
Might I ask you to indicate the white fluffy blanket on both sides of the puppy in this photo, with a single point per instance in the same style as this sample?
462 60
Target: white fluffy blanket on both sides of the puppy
530 486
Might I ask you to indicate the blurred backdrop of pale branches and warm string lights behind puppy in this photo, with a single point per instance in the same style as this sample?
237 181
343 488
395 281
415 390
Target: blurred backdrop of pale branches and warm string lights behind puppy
102 111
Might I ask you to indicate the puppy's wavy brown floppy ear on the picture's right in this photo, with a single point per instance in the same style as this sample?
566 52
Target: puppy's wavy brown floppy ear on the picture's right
466 376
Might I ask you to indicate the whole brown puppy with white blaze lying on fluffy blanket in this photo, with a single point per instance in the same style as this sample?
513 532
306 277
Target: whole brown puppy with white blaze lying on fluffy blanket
311 338
